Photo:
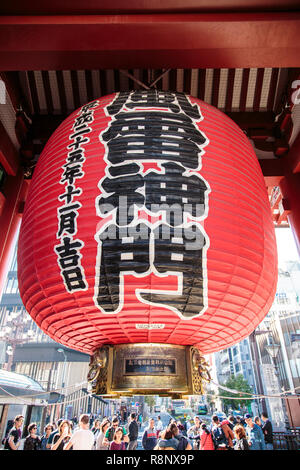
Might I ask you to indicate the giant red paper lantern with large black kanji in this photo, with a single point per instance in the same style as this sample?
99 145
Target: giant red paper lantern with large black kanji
93 273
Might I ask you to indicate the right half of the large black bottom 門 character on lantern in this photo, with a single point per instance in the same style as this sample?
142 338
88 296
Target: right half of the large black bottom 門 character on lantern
183 255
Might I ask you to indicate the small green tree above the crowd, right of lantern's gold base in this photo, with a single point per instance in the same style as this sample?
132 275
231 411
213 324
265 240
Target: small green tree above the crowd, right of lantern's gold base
236 383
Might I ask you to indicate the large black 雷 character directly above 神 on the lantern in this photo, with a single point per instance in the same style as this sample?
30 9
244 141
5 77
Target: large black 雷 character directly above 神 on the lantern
157 135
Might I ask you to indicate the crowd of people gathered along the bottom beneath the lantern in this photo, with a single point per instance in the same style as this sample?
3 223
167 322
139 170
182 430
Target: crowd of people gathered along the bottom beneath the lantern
108 434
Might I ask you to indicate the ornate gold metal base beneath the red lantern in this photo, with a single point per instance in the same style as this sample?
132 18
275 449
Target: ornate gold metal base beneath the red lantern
147 369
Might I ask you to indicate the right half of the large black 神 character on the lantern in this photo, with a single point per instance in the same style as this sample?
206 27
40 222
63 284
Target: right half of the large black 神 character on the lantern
174 193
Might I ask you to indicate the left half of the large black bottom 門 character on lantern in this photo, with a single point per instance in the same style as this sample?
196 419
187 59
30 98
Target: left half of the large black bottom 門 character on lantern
120 255
